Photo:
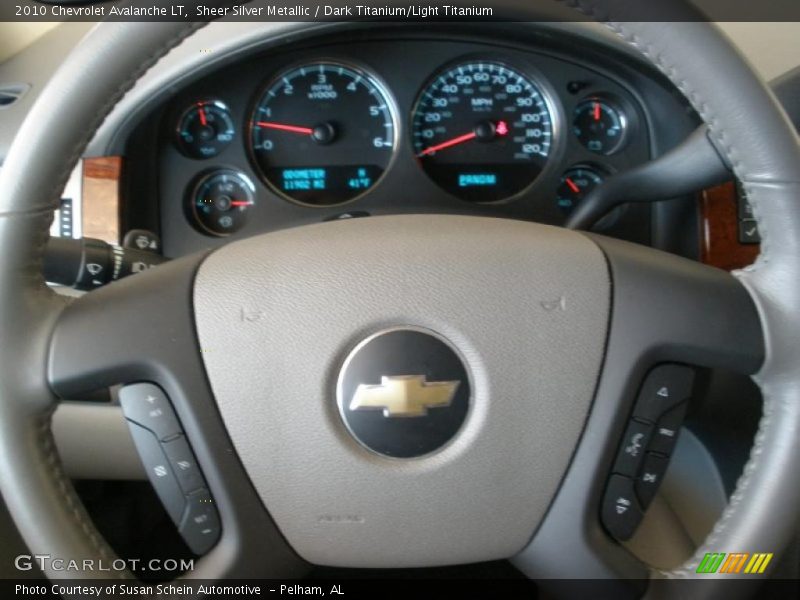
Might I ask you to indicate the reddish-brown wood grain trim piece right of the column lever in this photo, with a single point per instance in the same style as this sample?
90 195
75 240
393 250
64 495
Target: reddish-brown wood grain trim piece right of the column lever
719 242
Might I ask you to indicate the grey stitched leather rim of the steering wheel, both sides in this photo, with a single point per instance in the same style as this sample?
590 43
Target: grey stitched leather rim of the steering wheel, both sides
749 128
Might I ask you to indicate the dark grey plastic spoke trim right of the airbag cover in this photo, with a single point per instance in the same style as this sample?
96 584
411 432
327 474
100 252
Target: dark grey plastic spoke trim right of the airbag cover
664 309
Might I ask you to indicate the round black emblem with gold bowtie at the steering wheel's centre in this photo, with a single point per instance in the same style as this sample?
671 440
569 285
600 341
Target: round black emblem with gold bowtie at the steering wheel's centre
404 393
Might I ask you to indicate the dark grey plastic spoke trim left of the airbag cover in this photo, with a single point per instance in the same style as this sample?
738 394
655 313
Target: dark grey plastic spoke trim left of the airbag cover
142 329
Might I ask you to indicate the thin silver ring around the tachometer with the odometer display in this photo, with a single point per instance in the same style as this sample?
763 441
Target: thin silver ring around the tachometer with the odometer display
367 74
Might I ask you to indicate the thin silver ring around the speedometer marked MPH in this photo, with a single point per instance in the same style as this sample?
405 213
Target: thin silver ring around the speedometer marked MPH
549 95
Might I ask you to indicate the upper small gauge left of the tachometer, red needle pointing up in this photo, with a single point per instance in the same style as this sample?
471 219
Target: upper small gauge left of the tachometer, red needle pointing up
205 129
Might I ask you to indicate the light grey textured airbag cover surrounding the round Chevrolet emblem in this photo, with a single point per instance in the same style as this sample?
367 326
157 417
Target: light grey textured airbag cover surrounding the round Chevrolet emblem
277 315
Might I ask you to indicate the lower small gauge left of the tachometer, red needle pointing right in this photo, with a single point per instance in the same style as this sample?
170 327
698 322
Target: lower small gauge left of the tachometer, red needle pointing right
219 202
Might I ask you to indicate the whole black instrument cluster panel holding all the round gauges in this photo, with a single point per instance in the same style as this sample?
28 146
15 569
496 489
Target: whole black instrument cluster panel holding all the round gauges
506 133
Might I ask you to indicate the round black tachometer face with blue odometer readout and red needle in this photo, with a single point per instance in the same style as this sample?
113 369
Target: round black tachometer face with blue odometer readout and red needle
323 133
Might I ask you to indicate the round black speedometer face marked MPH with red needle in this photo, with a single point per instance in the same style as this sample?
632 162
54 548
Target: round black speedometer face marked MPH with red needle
482 131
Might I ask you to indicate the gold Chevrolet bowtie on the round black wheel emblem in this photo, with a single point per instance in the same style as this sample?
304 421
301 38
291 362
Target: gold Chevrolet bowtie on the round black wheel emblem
404 396
